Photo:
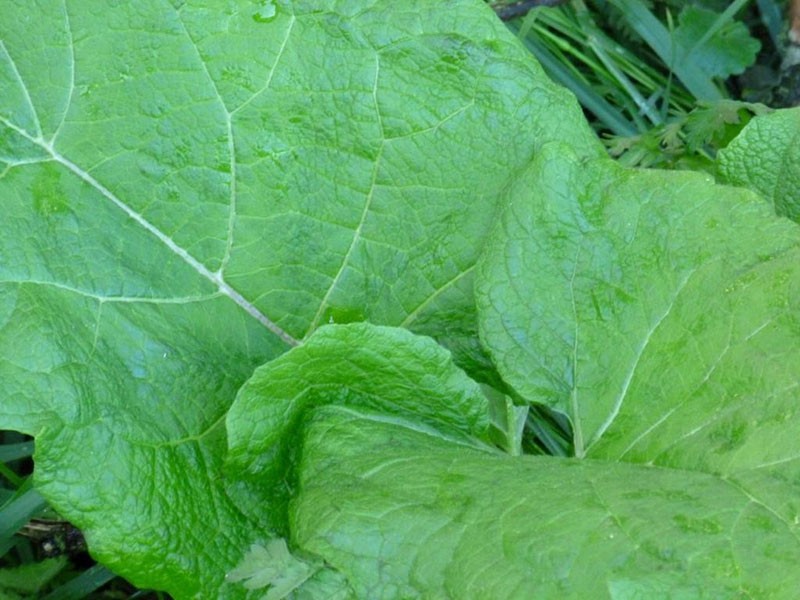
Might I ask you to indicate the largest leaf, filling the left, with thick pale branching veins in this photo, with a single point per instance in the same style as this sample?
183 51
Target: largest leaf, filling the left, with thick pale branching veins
191 188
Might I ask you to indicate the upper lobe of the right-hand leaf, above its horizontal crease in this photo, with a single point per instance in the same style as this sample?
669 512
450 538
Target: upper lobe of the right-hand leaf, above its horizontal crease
642 304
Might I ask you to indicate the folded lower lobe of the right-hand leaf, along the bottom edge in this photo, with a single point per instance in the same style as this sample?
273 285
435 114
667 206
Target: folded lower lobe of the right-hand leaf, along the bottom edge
457 522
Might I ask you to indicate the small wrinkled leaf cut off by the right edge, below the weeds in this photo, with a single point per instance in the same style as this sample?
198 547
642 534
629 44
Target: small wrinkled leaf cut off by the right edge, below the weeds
766 158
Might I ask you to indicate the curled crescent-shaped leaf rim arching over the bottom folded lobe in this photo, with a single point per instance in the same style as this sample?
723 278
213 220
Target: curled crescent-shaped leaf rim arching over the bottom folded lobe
389 370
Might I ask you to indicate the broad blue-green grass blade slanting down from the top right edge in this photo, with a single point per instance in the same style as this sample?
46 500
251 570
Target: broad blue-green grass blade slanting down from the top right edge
656 35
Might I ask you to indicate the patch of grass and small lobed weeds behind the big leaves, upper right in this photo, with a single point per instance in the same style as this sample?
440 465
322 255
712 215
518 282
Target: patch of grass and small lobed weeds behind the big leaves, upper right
655 86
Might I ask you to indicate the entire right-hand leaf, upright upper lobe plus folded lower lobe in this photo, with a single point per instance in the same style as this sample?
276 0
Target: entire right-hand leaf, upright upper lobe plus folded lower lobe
660 312
